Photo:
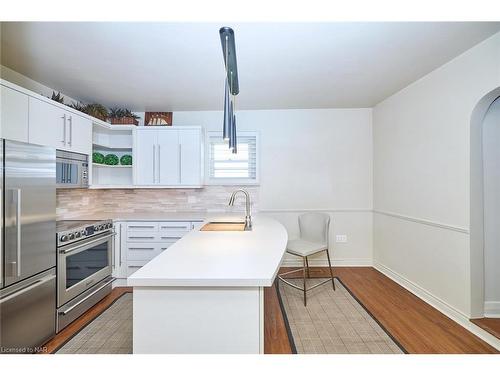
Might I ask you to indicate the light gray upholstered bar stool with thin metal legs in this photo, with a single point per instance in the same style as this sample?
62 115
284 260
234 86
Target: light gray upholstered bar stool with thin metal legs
314 228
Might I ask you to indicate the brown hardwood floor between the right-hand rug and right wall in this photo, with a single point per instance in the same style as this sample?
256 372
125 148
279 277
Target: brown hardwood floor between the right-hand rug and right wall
417 326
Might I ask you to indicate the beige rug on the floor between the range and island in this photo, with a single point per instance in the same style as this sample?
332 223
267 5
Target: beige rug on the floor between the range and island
109 333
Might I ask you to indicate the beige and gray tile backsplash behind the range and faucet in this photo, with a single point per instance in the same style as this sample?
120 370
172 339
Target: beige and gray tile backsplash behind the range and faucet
73 203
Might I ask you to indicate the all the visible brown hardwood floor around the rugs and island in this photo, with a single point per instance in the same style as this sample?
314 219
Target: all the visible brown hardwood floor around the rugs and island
413 323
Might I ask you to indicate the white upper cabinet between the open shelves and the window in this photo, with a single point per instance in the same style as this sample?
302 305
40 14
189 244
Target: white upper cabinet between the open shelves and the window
168 157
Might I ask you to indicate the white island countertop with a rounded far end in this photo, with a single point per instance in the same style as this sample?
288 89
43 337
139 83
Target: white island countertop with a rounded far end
218 259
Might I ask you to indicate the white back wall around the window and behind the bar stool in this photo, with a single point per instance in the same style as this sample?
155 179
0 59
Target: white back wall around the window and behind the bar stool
312 159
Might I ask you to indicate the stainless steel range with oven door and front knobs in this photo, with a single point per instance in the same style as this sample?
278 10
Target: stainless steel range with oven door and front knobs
84 266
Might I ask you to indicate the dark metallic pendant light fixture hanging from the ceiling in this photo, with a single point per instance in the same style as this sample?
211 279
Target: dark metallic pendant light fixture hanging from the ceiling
231 87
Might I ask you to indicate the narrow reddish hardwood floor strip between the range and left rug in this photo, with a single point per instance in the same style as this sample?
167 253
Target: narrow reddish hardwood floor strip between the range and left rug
82 321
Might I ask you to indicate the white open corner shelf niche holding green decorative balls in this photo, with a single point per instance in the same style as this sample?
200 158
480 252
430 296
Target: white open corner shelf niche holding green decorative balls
112 139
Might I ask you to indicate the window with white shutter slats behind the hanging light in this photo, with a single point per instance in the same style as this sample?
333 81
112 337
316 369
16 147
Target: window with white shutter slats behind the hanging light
224 167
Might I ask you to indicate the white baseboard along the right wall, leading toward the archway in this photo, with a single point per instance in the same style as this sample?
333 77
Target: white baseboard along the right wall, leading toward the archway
438 304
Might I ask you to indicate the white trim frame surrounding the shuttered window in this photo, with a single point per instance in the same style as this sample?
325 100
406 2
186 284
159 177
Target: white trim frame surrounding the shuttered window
233 181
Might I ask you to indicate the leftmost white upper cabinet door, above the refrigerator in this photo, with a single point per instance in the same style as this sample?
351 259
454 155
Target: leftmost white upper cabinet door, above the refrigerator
14 115
